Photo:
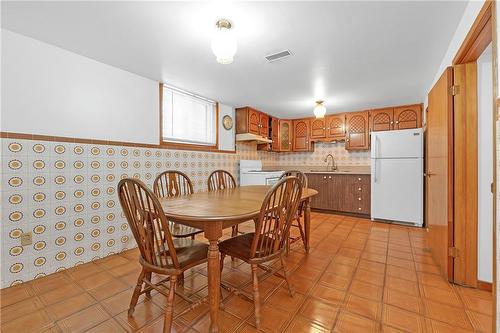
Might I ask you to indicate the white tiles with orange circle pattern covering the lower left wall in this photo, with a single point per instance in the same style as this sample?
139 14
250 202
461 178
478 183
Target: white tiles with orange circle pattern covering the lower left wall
65 194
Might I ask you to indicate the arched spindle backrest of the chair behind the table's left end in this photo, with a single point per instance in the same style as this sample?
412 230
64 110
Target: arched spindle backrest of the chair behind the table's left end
172 183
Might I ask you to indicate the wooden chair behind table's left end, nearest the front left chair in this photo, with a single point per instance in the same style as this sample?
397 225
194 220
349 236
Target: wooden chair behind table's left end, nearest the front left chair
171 184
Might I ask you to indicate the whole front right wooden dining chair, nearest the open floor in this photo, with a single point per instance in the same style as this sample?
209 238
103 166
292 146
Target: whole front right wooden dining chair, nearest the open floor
271 232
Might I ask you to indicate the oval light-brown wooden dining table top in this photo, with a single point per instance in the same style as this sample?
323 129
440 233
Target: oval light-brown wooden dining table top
240 203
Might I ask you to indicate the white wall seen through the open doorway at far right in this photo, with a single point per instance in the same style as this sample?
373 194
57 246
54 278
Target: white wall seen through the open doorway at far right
485 165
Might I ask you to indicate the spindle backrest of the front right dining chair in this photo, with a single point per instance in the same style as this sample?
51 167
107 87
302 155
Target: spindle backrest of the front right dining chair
276 213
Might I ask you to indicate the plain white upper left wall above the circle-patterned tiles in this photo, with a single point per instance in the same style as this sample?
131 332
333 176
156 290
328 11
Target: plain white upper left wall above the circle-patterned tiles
51 91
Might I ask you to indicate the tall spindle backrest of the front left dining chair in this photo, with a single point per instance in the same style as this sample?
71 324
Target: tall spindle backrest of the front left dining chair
148 223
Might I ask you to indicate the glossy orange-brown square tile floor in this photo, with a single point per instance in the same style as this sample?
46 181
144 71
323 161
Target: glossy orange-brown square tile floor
359 277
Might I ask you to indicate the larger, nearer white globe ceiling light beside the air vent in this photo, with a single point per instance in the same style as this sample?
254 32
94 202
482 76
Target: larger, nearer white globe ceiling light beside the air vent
224 42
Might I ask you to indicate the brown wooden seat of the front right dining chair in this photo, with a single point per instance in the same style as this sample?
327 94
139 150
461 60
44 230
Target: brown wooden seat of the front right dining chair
240 247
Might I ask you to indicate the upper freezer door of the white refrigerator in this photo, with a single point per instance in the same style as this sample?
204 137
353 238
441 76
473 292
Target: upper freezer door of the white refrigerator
397 144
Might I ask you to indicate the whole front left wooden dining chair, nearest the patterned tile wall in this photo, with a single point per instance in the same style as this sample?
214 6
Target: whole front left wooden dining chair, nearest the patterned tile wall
160 253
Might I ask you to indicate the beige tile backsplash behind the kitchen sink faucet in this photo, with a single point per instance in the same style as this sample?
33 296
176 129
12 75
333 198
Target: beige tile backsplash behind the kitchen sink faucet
316 158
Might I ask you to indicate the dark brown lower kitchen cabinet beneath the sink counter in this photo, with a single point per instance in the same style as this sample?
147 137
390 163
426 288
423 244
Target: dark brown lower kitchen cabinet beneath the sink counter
341 193
